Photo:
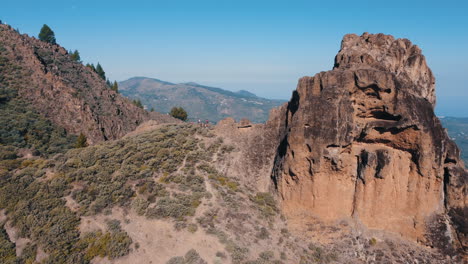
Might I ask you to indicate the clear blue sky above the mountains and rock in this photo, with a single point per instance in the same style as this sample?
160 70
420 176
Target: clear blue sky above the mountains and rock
260 46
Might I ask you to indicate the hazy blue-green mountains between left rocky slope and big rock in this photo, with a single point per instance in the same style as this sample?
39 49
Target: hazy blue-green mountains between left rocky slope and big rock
201 102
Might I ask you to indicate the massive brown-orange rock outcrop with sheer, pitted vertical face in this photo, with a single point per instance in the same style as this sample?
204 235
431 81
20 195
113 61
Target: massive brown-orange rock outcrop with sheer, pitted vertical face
361 141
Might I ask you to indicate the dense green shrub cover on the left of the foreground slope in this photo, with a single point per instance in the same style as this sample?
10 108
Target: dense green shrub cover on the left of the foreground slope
139 172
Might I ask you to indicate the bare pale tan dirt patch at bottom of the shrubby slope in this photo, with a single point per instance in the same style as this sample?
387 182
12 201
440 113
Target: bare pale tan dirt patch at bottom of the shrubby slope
157 239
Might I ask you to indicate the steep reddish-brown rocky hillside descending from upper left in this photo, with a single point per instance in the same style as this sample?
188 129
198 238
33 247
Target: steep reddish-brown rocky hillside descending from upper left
66 92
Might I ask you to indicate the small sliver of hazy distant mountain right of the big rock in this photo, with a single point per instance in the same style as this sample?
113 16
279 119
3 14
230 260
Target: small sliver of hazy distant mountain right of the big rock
457 128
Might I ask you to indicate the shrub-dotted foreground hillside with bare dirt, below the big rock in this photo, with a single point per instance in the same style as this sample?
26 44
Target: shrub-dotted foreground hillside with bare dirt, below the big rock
165 195
